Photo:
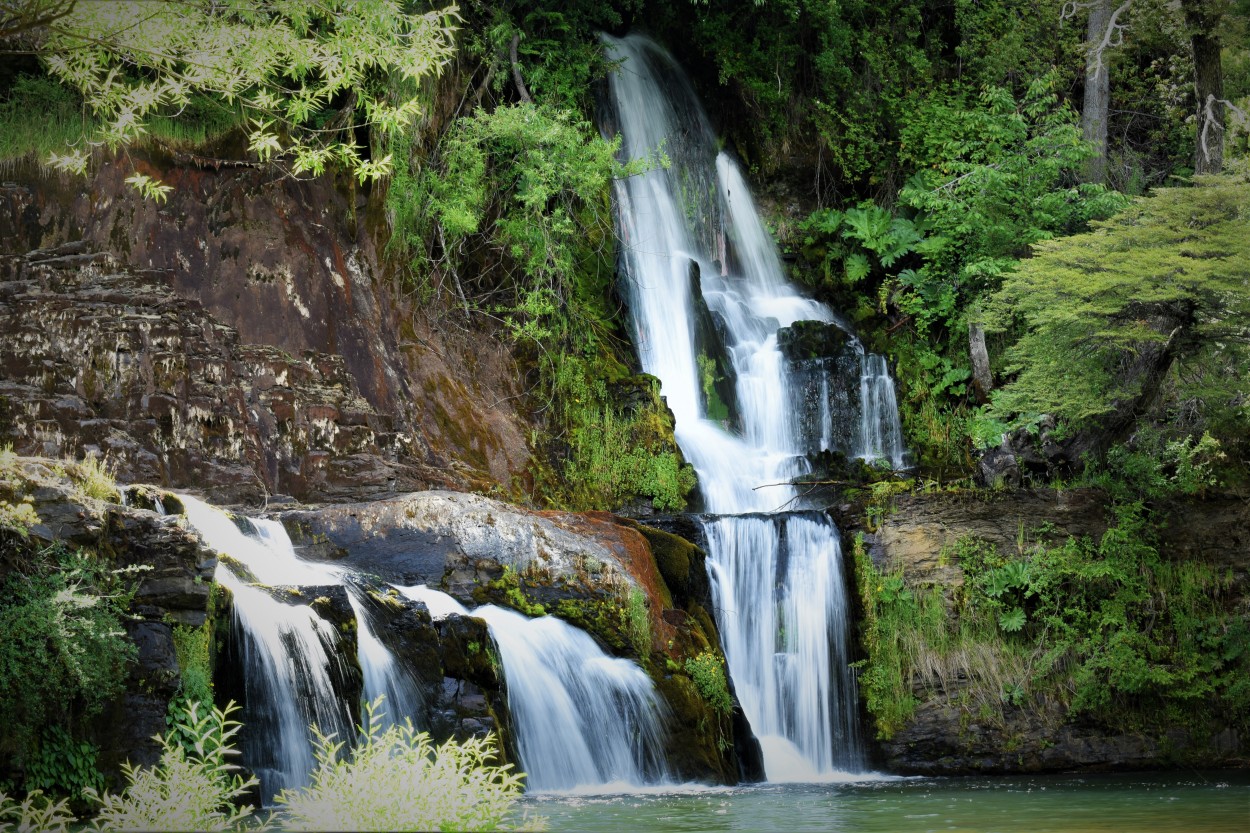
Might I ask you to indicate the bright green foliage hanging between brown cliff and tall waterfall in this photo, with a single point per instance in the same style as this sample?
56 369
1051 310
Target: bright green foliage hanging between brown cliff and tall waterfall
511 223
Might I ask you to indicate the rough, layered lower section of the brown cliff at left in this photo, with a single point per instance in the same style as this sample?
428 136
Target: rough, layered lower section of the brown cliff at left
109 360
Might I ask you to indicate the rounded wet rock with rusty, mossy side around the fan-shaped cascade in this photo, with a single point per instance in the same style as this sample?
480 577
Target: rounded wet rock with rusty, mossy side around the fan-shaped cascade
596 571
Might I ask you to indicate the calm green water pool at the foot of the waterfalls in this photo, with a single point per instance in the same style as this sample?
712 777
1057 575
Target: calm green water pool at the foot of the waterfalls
1172 802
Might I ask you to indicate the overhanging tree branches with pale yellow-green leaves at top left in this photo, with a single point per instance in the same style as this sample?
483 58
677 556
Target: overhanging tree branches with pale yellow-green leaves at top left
308 76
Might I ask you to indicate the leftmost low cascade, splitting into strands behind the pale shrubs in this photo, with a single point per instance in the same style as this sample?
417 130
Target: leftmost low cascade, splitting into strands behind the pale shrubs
292 660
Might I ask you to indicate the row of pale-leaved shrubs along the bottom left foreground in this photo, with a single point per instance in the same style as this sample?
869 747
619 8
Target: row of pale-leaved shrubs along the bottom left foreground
391 779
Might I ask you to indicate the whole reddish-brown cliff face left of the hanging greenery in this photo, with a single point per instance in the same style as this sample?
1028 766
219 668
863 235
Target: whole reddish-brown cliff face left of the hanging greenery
238 340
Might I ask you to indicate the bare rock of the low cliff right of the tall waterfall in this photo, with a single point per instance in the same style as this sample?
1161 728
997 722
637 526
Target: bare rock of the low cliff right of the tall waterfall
946 736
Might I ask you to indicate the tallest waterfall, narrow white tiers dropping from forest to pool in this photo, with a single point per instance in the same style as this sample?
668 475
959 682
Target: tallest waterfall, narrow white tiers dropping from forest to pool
694 250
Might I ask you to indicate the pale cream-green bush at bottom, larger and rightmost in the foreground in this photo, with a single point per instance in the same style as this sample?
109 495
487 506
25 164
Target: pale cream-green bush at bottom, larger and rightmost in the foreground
397 780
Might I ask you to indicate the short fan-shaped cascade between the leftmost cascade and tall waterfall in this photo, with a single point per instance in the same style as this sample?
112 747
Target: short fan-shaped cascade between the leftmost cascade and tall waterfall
583 721
